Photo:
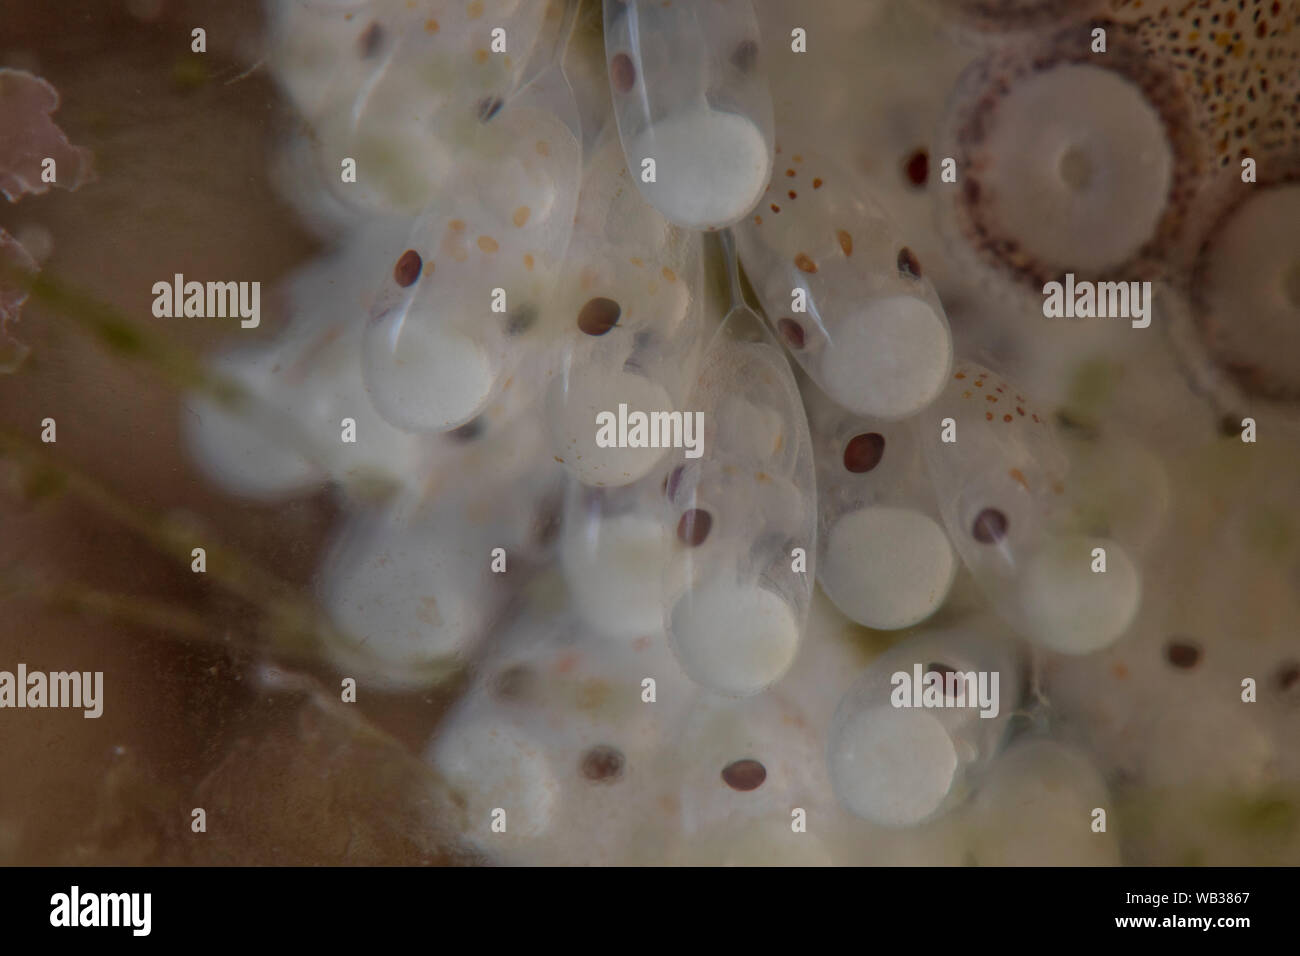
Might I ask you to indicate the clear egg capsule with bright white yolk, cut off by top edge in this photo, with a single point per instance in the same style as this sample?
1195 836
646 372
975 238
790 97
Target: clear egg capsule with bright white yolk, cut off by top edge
694 107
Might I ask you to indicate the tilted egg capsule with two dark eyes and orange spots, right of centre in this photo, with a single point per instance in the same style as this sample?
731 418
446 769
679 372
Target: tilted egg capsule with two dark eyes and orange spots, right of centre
844 293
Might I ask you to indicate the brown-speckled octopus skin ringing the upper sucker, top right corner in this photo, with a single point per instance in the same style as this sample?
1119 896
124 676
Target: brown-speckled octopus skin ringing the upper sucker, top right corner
1224 76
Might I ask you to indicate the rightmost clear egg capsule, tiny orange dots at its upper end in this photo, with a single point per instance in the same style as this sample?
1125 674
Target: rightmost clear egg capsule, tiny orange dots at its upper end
1002 483
